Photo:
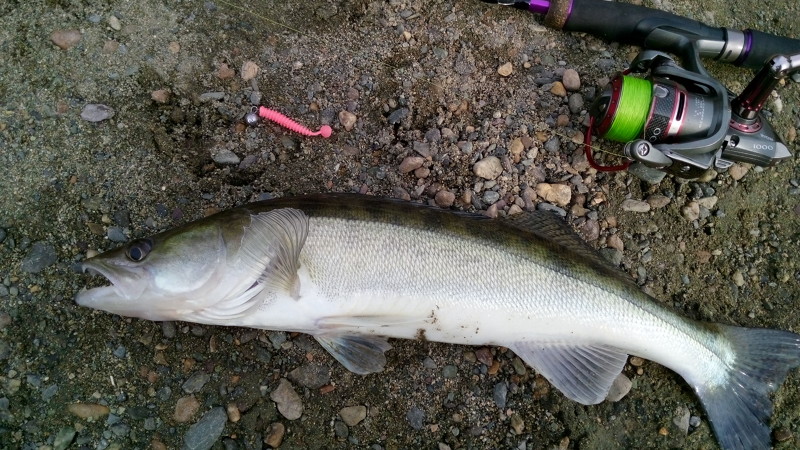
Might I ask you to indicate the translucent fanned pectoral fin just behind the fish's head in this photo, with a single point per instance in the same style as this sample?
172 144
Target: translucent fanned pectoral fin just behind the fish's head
271 248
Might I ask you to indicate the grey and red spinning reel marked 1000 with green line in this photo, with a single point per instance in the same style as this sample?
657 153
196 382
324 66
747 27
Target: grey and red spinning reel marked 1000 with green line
685 122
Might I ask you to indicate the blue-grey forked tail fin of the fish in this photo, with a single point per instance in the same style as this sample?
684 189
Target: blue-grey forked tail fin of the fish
739 408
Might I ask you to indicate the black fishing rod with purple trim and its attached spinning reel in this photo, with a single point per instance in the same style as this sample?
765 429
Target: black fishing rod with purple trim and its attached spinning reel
679 120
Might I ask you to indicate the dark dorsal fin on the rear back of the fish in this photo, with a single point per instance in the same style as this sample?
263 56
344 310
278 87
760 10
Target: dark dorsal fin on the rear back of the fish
549 227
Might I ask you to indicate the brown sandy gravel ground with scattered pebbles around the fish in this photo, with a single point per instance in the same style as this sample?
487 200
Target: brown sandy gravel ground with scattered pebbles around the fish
422 95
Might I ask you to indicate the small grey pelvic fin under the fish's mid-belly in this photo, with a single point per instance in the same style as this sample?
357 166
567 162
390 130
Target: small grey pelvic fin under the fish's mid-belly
360 354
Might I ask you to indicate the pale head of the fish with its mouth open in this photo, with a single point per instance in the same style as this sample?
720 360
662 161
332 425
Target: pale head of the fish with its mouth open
159 277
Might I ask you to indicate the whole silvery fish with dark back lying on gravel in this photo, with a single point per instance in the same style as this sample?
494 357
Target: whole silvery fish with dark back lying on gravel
354 270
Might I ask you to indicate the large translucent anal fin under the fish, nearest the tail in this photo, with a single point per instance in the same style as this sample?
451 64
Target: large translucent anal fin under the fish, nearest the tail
584 373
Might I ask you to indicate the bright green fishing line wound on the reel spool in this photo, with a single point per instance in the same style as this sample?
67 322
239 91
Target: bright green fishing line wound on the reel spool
632 111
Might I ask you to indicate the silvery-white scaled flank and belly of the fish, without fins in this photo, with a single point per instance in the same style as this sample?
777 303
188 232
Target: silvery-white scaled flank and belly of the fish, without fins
379 278
